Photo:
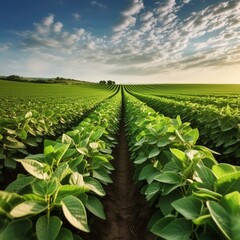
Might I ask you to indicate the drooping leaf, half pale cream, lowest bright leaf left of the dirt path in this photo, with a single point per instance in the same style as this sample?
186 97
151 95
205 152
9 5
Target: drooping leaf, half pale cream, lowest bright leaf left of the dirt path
75 212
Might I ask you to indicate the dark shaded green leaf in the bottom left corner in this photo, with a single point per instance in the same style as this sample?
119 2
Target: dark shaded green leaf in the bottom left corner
16 229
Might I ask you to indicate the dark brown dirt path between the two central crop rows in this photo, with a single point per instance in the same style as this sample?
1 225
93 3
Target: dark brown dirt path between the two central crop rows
126 210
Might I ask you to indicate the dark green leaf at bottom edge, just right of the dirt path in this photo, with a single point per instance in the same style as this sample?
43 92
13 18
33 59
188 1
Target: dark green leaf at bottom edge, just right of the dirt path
170 228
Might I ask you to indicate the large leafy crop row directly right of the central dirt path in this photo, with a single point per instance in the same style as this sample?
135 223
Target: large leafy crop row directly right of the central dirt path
194 196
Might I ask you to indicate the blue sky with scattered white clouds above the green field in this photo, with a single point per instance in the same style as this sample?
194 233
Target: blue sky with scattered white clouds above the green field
127 41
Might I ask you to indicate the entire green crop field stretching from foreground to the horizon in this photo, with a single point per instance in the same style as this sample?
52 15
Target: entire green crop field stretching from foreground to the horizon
144 161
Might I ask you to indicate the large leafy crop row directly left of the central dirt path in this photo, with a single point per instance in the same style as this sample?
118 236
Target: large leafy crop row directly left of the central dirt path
64 180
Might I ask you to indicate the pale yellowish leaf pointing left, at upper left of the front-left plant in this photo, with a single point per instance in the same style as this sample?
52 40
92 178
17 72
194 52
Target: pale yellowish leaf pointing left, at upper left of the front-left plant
35 168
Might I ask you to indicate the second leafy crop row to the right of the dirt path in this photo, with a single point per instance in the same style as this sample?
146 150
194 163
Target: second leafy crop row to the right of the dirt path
219 129
